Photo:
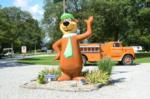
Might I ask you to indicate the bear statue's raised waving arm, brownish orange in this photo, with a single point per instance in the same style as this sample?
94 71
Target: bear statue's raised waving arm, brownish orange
88 33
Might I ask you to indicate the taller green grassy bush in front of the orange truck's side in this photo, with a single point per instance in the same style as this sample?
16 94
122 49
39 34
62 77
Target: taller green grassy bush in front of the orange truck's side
106 65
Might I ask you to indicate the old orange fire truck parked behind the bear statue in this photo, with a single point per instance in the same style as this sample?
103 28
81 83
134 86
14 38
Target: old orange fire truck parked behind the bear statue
95 52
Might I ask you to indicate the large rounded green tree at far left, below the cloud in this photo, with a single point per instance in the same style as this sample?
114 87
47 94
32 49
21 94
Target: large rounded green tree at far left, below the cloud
18 28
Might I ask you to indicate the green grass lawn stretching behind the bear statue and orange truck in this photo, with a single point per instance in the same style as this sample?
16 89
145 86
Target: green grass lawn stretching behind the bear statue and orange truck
49 60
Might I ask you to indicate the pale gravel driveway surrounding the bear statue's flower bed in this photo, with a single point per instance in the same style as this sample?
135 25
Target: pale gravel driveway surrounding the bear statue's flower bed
130 82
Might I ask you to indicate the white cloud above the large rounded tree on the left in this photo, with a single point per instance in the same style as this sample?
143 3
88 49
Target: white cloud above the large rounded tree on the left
35 9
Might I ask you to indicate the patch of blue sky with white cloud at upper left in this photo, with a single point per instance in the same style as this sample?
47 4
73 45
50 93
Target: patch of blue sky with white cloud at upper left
35 7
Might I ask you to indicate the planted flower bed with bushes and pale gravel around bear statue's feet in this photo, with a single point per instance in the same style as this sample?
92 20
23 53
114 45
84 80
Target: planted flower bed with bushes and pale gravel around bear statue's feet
95 78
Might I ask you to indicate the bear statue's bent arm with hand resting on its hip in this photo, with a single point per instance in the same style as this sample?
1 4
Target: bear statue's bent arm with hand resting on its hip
57 48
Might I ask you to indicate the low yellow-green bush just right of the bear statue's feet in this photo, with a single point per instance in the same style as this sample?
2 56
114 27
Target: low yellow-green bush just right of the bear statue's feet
97 77
